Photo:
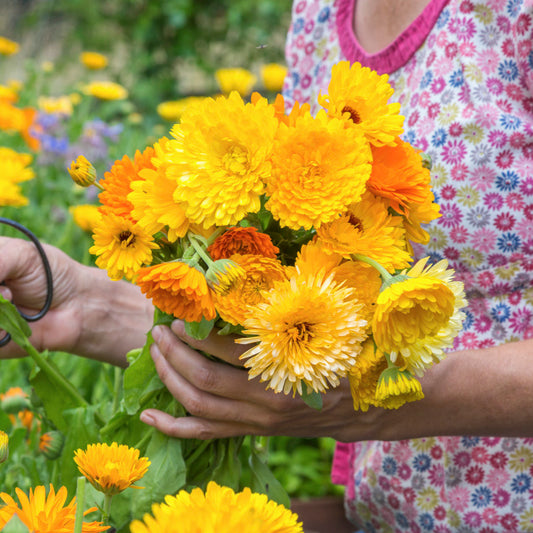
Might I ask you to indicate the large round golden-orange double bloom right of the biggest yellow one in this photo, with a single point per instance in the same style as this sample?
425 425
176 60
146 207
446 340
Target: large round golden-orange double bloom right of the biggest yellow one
318 169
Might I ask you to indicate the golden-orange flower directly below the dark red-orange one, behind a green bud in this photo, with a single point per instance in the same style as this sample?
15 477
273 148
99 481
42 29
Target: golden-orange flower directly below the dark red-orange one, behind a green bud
261 274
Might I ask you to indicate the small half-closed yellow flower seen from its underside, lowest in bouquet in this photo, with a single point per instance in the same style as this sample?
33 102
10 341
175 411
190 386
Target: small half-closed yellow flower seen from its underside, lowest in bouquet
397 387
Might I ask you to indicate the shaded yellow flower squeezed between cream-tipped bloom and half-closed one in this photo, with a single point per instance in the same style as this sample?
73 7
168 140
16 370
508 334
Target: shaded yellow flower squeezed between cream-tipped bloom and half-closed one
364 375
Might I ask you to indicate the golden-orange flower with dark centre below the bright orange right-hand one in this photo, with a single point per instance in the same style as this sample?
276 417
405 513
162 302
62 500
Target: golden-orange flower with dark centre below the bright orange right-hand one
368 229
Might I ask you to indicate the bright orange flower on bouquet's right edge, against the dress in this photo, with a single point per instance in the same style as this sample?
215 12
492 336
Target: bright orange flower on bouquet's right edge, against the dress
399 175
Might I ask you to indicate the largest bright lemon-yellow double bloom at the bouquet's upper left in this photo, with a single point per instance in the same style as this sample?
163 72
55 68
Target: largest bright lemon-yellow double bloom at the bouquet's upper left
220 159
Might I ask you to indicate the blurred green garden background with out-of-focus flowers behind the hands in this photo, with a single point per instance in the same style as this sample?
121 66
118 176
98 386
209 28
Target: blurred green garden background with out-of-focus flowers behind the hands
104 79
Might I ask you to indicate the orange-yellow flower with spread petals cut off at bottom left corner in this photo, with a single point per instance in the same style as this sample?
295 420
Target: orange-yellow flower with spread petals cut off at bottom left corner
42 513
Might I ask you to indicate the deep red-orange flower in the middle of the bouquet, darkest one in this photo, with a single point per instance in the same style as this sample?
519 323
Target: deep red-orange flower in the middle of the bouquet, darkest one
242 241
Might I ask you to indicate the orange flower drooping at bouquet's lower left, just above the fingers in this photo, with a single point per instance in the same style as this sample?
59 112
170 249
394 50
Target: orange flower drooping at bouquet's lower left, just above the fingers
178 289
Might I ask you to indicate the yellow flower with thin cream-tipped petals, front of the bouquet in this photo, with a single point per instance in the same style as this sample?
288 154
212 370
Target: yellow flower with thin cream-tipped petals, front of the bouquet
307 331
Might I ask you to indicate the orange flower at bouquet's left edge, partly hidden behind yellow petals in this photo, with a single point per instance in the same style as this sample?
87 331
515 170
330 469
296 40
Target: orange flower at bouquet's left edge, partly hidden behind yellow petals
116 183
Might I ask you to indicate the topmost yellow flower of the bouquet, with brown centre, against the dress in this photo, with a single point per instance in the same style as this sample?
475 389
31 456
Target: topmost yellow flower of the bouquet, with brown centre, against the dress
360 97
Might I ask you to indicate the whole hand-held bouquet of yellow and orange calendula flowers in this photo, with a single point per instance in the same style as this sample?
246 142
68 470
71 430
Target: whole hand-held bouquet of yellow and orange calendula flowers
293 229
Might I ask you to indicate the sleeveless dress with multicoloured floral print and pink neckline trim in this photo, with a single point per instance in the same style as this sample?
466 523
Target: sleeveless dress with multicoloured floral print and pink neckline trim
463 72
